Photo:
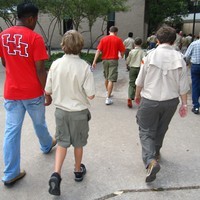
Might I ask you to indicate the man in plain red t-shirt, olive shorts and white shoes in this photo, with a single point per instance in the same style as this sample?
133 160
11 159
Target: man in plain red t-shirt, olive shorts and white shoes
110 46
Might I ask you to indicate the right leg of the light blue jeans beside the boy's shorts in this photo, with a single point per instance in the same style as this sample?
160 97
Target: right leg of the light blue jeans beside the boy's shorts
36 109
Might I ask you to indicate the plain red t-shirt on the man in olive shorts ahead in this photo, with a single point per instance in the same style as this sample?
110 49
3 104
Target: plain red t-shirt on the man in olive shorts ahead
110 46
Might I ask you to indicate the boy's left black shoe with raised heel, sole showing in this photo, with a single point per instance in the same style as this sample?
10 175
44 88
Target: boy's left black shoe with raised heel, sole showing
54 184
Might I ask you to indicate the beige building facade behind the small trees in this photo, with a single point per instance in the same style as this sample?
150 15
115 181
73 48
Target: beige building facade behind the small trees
130 21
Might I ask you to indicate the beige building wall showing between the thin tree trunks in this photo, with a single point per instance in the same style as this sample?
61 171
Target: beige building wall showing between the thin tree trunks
133 21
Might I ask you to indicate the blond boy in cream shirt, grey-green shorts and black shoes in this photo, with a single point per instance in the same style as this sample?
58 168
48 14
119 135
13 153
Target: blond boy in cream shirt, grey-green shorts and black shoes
70 82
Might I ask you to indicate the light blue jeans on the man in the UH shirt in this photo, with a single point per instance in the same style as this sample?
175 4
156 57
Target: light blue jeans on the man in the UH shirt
15 112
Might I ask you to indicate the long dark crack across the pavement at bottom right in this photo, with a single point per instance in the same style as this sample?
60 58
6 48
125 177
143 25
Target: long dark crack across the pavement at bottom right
161 189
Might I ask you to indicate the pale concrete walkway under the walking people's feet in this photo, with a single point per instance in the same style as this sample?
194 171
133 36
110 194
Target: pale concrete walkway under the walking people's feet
113 155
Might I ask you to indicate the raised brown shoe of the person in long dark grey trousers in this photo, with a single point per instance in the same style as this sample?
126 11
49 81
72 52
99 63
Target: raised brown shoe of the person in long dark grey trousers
152 170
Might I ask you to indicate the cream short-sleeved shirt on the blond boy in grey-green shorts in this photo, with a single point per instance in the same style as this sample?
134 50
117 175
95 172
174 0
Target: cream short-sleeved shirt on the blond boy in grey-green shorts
70 81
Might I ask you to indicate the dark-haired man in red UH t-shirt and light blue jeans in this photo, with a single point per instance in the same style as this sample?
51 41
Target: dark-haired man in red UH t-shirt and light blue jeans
23 53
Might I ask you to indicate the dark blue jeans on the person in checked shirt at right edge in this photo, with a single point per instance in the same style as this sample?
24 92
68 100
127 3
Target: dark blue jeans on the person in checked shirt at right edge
195 75
